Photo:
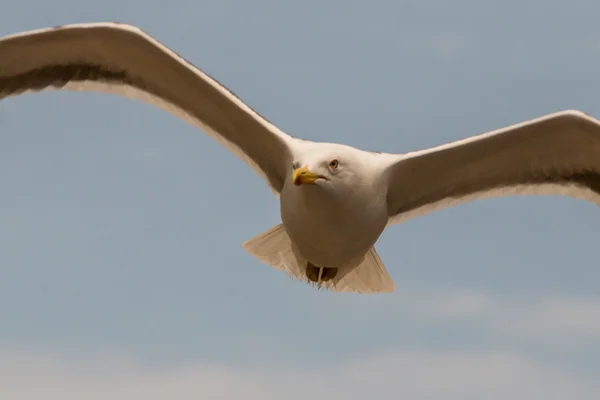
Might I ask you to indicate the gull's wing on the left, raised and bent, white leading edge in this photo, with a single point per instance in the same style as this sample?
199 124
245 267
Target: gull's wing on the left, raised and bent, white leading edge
123 60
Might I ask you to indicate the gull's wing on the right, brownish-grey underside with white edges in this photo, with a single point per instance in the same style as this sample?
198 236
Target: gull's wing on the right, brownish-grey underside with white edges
558 154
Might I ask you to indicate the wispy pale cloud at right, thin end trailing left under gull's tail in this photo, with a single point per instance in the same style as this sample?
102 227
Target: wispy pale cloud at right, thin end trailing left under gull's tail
548 320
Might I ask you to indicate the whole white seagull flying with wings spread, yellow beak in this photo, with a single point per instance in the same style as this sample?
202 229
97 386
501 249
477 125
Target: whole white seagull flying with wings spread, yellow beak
335 200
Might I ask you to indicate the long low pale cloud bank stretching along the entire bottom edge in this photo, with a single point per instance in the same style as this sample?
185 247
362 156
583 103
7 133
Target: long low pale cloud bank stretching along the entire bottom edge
423 374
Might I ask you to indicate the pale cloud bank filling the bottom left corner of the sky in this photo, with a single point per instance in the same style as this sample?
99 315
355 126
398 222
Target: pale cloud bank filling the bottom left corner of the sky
26 376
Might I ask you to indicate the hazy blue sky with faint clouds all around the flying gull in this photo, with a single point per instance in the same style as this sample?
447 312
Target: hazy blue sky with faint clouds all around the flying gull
122 271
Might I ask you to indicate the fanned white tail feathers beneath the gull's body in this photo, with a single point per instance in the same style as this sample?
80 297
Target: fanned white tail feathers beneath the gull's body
274 247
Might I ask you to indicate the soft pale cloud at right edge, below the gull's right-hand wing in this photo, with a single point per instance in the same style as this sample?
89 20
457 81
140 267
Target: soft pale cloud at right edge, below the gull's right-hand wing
553 320
